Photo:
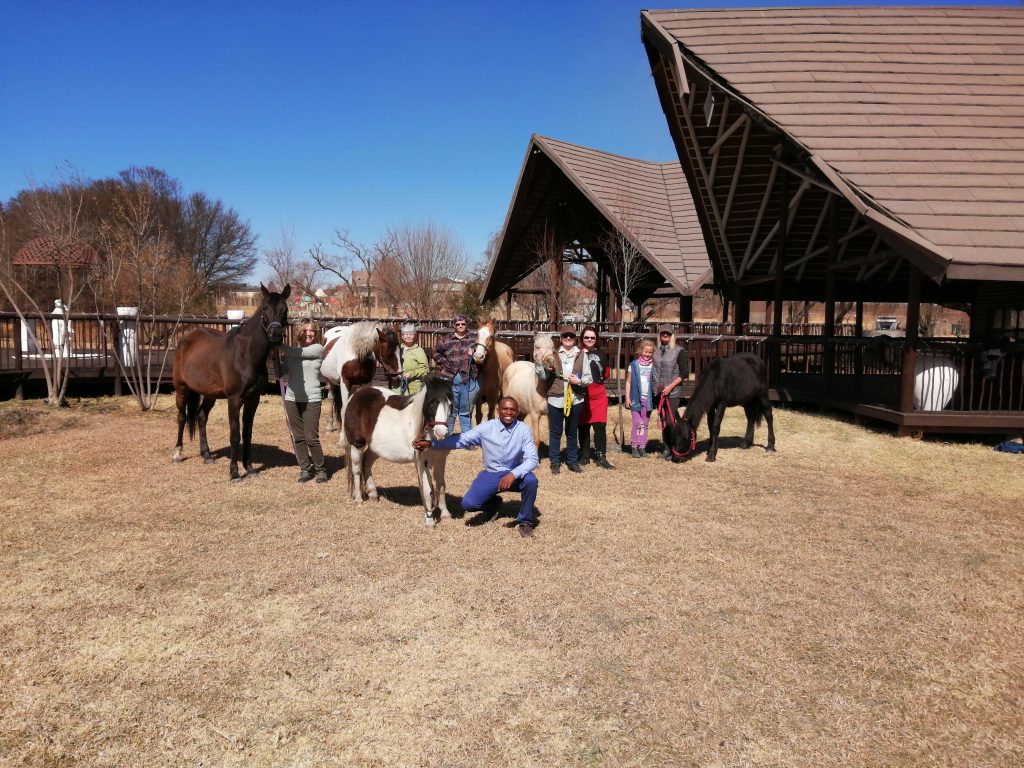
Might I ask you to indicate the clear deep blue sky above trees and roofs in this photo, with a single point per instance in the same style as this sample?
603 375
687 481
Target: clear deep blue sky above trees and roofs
316 116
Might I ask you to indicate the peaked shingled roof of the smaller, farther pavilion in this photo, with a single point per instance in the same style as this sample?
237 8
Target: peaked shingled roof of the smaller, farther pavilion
585 193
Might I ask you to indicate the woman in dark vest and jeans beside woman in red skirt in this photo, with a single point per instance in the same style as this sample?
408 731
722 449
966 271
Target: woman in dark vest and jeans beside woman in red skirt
565 407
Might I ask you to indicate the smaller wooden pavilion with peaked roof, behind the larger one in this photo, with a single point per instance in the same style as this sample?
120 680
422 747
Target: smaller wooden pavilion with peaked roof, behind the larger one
575 205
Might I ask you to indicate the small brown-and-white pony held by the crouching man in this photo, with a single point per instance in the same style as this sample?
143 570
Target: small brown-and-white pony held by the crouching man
379 423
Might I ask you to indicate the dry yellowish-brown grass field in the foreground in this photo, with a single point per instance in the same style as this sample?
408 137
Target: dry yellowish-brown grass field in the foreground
852 601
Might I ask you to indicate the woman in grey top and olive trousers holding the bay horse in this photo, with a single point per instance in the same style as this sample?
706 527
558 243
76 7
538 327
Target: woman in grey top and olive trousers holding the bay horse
304 401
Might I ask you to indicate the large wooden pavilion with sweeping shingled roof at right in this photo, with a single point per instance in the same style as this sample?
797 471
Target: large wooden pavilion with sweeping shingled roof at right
863 154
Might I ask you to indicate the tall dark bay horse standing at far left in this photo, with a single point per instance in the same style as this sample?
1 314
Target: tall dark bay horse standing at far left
233 365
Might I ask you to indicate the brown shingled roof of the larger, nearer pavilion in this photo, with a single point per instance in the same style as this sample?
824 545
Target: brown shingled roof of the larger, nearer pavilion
915 114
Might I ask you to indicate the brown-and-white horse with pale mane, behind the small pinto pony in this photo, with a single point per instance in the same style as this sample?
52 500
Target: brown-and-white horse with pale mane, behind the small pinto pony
351 358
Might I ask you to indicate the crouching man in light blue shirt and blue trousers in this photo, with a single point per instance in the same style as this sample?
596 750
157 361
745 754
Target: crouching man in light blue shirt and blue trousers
509 461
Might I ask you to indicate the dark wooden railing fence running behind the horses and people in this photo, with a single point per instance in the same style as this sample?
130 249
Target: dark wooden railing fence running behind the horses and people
950 375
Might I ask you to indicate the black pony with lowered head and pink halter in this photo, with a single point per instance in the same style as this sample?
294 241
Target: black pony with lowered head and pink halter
738 380
